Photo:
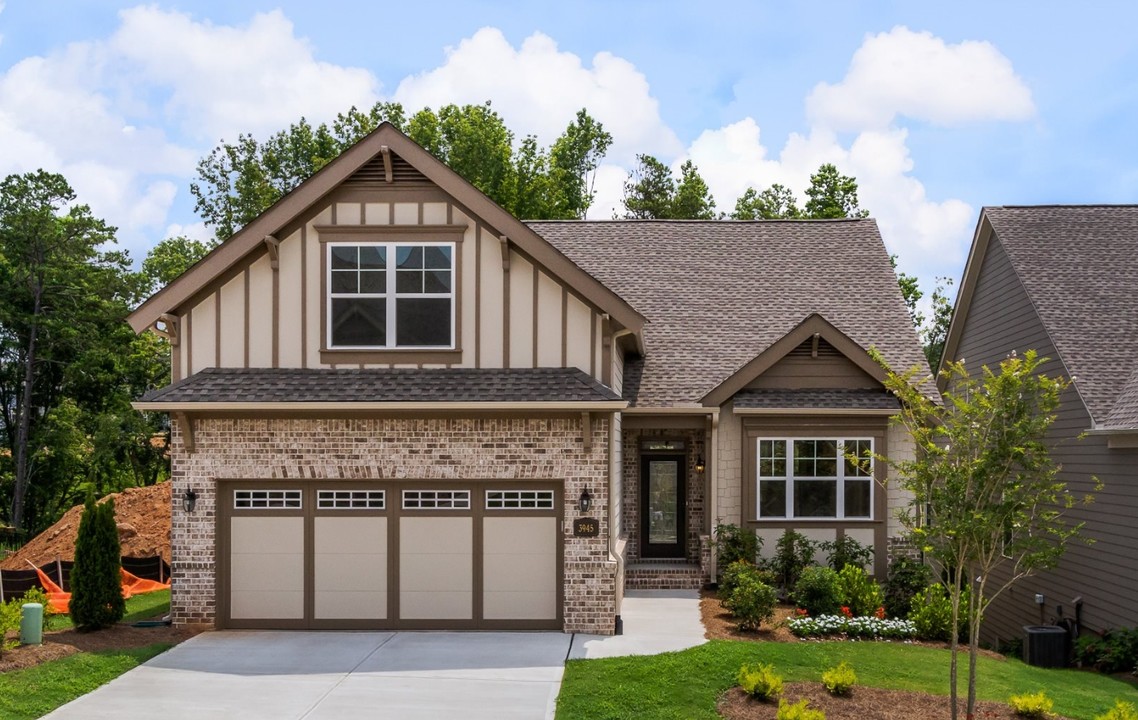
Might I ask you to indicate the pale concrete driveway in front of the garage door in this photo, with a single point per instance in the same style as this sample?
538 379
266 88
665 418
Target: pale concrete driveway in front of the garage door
316 676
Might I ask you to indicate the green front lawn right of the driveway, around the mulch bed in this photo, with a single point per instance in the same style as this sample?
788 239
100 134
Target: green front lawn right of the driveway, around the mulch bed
688 684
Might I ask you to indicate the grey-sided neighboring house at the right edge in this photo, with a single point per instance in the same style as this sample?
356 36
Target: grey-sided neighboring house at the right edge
1063 280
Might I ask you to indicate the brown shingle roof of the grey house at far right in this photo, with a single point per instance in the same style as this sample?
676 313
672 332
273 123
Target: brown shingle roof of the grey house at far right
1079 266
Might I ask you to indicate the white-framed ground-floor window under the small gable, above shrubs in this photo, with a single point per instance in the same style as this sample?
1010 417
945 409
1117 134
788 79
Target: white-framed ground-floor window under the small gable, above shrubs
815 478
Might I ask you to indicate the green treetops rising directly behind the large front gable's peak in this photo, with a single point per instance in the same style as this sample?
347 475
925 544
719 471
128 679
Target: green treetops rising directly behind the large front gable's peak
240 180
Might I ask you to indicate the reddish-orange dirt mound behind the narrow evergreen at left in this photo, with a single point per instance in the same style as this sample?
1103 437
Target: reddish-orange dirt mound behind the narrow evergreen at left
143 516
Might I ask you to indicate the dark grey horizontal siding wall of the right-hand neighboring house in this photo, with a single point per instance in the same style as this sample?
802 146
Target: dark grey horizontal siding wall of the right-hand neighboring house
1003 319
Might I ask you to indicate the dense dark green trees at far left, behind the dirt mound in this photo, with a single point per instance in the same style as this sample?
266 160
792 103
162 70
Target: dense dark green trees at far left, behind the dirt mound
70 367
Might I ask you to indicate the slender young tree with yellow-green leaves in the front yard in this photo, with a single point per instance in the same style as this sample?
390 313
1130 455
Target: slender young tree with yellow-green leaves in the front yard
988 506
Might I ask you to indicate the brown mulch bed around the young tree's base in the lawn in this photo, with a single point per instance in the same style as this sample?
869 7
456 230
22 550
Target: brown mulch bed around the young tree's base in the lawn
863 704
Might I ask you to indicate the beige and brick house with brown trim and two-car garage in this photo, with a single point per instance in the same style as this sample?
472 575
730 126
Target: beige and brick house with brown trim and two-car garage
398 407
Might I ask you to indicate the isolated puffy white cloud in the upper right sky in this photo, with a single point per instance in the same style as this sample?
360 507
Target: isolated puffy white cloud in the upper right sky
921 77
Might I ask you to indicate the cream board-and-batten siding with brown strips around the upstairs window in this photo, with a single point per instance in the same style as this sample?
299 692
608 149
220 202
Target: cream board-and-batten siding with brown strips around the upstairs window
518 318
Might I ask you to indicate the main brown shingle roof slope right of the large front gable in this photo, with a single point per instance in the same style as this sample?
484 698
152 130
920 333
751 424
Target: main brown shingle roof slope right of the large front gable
718 294
